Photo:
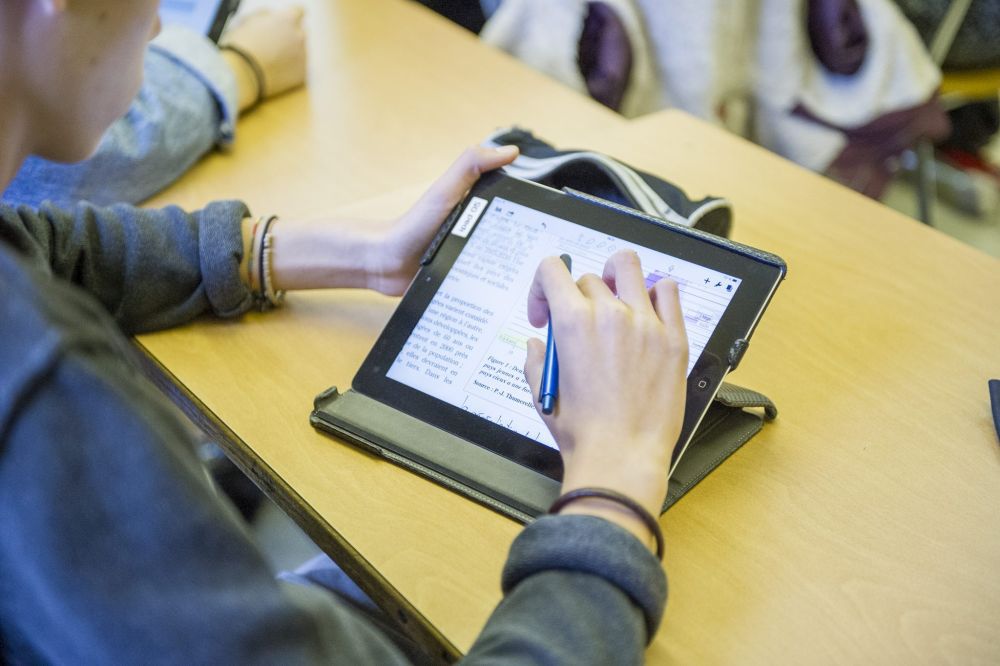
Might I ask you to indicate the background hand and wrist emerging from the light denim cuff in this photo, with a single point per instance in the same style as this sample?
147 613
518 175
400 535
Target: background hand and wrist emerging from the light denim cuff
276 41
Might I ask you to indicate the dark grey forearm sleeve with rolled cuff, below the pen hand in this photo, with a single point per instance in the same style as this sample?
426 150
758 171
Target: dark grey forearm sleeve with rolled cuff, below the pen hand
578 590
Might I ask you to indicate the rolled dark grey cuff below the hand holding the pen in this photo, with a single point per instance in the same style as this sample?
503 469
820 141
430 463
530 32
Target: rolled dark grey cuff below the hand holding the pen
592 545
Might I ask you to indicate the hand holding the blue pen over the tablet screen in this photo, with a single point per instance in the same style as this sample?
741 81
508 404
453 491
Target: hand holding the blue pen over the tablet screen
622 366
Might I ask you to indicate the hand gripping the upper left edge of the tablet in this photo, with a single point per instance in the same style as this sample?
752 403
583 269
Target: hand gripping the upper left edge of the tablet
397 253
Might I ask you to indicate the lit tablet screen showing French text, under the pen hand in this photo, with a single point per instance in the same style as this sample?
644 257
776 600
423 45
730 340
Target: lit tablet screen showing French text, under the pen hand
469 346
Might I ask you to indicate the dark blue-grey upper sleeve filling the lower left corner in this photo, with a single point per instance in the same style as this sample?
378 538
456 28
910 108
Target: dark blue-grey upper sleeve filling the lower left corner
116 550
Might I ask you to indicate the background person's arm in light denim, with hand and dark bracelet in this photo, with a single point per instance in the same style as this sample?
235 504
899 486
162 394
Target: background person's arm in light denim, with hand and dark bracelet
191 96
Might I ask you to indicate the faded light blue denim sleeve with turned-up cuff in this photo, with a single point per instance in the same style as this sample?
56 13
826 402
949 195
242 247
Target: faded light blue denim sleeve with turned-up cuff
187 104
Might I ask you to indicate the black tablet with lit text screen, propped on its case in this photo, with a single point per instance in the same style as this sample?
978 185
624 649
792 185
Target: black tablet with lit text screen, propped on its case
452 355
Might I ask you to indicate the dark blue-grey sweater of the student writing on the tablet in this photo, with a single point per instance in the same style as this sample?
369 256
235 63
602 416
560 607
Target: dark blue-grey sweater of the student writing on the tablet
114 547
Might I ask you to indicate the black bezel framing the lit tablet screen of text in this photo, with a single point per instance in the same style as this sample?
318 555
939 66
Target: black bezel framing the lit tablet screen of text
760 273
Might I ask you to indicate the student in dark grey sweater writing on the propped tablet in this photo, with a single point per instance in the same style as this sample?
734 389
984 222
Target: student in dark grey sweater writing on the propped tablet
114 547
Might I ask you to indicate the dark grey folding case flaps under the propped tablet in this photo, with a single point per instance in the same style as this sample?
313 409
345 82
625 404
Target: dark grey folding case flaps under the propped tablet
736 415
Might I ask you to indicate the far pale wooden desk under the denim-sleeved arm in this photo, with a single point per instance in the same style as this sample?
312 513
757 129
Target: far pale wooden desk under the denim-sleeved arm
395 92
